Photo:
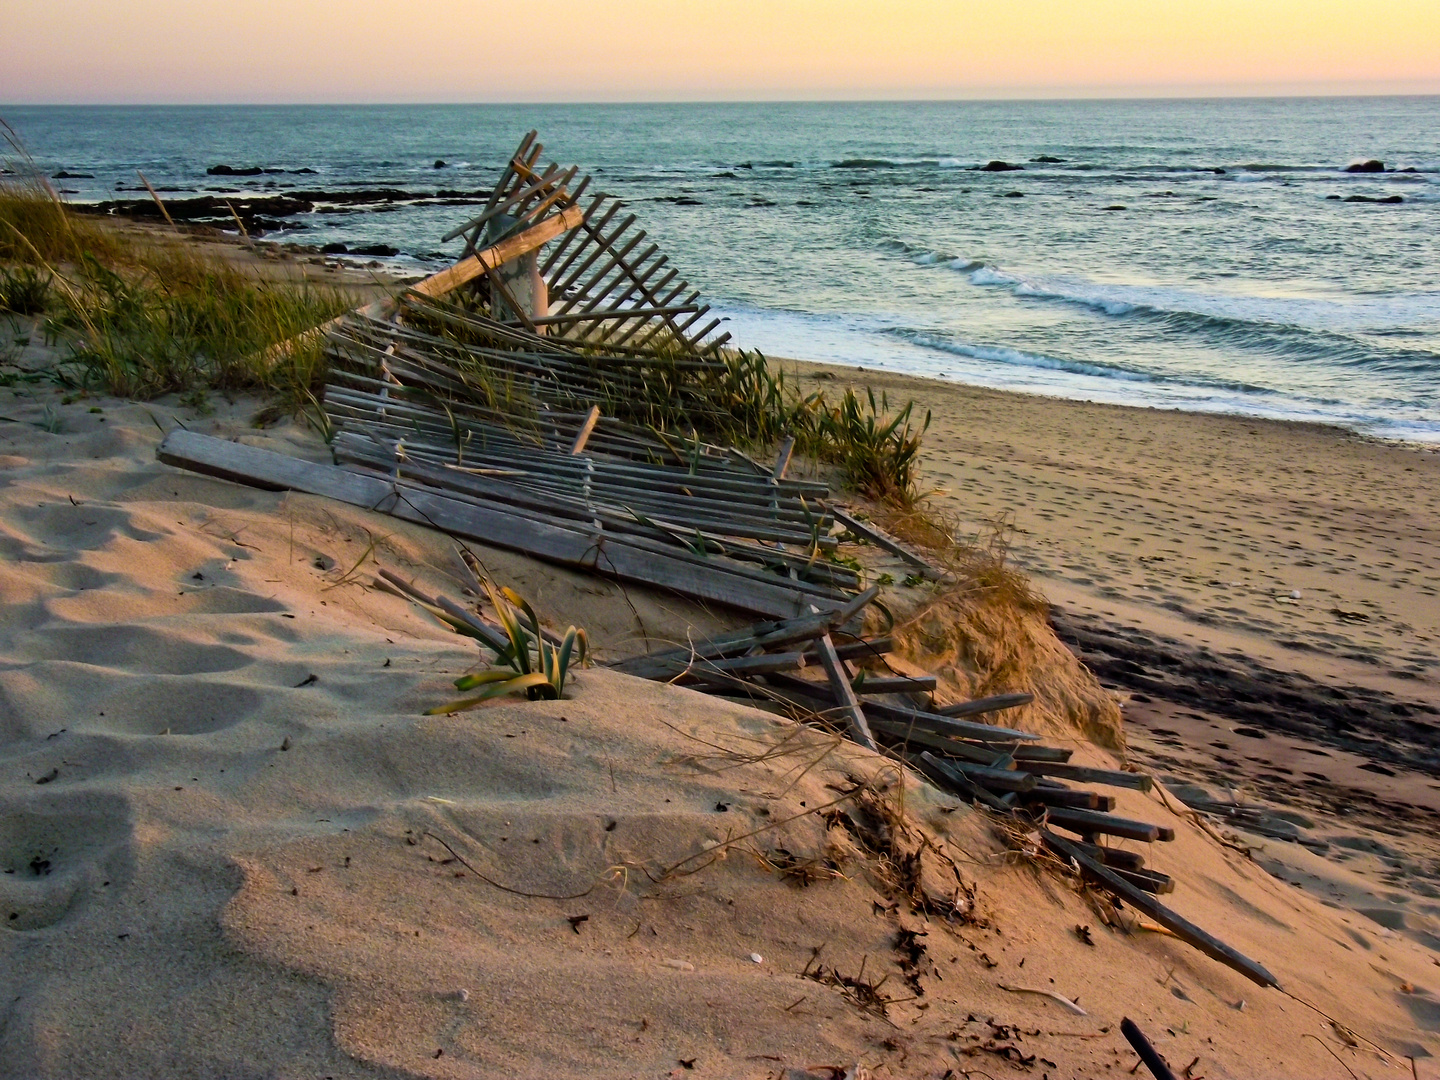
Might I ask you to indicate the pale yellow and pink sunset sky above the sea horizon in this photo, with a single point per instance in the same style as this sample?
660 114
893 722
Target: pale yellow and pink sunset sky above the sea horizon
482 51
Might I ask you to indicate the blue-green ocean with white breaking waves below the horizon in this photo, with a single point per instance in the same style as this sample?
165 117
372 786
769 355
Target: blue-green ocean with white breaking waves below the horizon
1200 256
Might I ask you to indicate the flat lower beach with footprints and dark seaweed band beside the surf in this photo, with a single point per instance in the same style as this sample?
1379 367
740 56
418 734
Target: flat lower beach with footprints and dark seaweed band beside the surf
1262 595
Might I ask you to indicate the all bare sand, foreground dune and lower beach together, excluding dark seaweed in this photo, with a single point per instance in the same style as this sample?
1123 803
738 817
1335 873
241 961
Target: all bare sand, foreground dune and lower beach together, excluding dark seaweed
225 813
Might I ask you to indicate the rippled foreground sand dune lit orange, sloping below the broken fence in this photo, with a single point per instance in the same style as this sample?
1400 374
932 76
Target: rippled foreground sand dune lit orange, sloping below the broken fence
221 806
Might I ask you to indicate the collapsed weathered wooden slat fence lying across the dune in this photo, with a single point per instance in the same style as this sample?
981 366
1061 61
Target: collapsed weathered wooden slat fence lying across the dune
541 405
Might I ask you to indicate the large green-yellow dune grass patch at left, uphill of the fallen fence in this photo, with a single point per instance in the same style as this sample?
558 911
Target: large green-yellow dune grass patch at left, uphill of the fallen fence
143 318
